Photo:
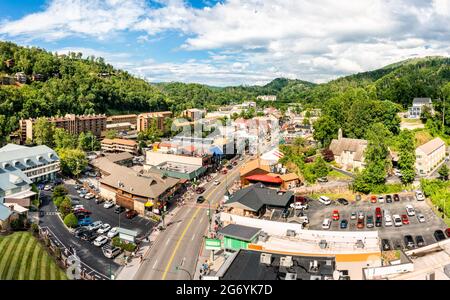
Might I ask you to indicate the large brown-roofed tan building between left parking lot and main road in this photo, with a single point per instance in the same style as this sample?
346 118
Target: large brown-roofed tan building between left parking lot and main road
132 190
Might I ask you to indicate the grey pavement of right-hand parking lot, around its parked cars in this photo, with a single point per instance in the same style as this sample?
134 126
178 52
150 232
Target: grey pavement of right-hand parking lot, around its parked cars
317 212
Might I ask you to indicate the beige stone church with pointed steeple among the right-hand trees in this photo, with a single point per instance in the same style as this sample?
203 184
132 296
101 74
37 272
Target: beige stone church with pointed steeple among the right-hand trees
348 153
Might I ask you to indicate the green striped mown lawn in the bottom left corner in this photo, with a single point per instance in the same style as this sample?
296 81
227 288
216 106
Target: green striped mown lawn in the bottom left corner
22 257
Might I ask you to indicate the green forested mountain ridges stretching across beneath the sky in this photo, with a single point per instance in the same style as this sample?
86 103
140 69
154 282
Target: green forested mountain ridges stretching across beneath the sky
72 84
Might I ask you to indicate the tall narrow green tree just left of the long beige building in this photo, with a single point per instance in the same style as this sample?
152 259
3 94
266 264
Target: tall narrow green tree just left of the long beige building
407 156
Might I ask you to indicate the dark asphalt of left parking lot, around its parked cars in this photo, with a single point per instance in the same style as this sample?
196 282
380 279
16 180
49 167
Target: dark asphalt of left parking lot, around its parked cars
88 253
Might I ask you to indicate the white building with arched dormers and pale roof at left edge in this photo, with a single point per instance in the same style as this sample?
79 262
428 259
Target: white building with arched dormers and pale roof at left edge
39 163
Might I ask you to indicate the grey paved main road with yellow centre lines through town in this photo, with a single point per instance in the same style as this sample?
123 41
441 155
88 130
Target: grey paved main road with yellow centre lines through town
181 242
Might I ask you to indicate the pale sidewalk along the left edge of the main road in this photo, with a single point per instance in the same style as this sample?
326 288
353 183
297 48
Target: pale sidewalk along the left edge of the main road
128 272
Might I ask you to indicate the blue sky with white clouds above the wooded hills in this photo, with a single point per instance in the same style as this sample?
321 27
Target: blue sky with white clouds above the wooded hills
233 42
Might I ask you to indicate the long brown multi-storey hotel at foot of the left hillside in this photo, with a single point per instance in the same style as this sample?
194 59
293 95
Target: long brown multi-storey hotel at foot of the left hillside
74 124
